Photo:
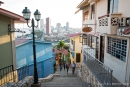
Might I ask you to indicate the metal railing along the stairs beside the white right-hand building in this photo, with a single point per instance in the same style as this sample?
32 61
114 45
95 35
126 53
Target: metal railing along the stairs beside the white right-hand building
99 70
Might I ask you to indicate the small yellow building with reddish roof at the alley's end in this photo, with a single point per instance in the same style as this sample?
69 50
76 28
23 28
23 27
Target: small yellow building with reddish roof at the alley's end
75 48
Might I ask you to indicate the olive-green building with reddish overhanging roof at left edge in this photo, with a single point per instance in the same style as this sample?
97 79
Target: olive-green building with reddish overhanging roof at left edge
7 44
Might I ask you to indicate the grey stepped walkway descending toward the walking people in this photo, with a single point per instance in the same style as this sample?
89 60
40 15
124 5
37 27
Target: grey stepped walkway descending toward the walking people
66 80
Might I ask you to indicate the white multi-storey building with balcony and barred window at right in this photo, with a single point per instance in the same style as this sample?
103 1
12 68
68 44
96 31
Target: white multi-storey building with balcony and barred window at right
109 35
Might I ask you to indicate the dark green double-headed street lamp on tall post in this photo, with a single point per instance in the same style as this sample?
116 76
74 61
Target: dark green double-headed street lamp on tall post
26 14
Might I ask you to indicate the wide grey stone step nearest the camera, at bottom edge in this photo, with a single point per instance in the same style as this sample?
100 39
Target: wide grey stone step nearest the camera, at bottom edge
66 82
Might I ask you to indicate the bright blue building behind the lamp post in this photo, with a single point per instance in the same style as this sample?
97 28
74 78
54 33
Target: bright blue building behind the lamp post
44 56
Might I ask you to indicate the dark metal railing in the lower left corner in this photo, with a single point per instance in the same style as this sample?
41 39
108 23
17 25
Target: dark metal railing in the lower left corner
8 74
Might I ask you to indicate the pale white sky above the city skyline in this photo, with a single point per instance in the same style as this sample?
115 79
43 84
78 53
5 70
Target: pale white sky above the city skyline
60 11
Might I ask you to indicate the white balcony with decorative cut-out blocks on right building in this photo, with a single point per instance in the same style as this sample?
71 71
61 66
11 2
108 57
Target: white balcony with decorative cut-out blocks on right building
108 23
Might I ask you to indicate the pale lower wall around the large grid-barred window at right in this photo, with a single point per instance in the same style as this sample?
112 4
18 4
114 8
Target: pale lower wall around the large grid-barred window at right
118 66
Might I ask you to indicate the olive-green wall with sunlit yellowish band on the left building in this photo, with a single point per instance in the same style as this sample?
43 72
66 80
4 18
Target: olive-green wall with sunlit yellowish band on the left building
6 53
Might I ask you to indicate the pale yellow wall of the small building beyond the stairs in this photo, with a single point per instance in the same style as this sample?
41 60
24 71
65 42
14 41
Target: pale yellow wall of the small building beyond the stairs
78 46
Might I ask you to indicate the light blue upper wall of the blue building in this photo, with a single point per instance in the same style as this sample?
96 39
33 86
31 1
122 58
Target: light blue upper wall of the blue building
24 53
